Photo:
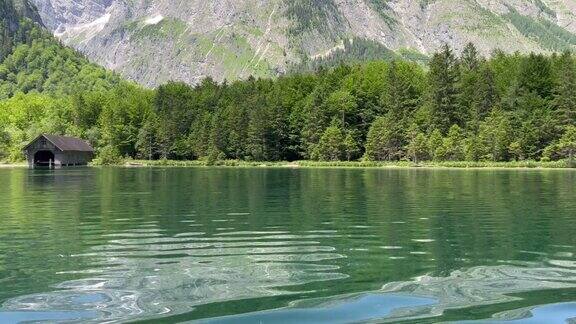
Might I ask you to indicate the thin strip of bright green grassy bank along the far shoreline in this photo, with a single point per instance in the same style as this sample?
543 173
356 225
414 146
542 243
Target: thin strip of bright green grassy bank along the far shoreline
356 164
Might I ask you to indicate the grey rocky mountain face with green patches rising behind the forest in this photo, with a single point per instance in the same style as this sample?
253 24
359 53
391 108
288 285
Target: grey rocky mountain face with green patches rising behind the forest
153 41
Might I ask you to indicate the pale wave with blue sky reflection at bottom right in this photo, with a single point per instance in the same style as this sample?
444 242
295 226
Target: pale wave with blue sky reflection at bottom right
429 297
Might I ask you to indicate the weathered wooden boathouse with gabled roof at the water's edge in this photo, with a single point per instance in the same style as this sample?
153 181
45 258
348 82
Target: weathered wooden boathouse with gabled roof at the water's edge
58 151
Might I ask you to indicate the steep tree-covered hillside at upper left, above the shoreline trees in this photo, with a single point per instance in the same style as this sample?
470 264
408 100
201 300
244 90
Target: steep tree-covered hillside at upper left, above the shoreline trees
32 60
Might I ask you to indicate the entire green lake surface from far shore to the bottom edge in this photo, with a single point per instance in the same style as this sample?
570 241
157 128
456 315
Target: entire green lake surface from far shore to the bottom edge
287 246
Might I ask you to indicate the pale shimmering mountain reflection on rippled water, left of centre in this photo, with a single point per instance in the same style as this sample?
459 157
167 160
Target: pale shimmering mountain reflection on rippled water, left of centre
143 274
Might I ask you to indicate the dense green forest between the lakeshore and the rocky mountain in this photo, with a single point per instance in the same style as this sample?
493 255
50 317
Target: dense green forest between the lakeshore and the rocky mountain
506 107
